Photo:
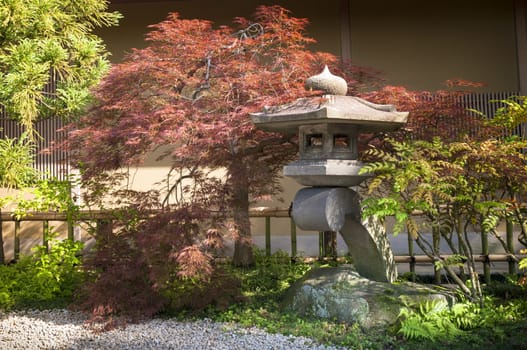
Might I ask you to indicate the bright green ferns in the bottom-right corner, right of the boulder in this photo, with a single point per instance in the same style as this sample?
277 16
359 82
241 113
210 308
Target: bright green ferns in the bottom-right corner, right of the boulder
464 326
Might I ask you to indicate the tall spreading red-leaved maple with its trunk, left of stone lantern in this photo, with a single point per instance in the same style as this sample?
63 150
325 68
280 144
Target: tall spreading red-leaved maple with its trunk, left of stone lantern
193 88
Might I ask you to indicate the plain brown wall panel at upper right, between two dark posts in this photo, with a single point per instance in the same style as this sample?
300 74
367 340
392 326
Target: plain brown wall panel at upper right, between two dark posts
420 44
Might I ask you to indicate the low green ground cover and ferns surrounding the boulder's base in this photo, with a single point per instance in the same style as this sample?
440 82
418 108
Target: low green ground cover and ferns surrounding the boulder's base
464 326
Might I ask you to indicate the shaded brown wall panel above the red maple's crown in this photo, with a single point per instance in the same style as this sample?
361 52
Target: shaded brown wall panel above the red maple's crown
323 15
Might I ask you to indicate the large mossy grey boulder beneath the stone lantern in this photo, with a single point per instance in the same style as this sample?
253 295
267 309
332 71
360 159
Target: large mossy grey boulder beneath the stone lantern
340 293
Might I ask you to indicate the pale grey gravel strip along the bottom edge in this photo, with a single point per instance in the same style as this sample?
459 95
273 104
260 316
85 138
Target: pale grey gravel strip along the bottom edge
62 329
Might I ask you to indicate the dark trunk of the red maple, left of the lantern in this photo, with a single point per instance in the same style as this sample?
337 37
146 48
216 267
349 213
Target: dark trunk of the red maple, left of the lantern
243 254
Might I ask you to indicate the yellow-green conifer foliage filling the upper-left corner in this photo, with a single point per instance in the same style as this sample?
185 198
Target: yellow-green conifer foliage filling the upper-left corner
50 38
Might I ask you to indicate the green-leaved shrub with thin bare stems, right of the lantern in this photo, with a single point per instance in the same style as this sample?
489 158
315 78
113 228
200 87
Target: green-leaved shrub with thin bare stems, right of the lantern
456 187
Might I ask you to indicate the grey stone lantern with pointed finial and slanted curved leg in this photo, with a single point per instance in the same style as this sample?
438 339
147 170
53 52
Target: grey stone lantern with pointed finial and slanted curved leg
328 127
